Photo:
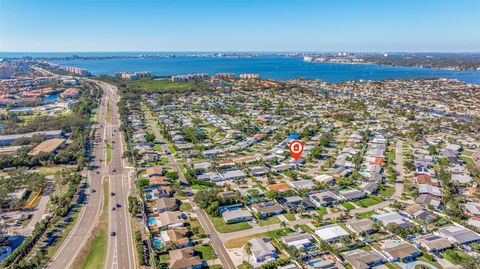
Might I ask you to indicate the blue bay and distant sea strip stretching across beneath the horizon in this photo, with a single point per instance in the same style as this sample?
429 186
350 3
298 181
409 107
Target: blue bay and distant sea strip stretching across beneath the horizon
268 66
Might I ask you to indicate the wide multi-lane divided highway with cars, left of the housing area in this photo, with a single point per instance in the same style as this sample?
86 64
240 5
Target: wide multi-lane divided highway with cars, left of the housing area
120 252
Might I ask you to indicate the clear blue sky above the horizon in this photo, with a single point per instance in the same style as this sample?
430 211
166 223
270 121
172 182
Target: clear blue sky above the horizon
240 25
